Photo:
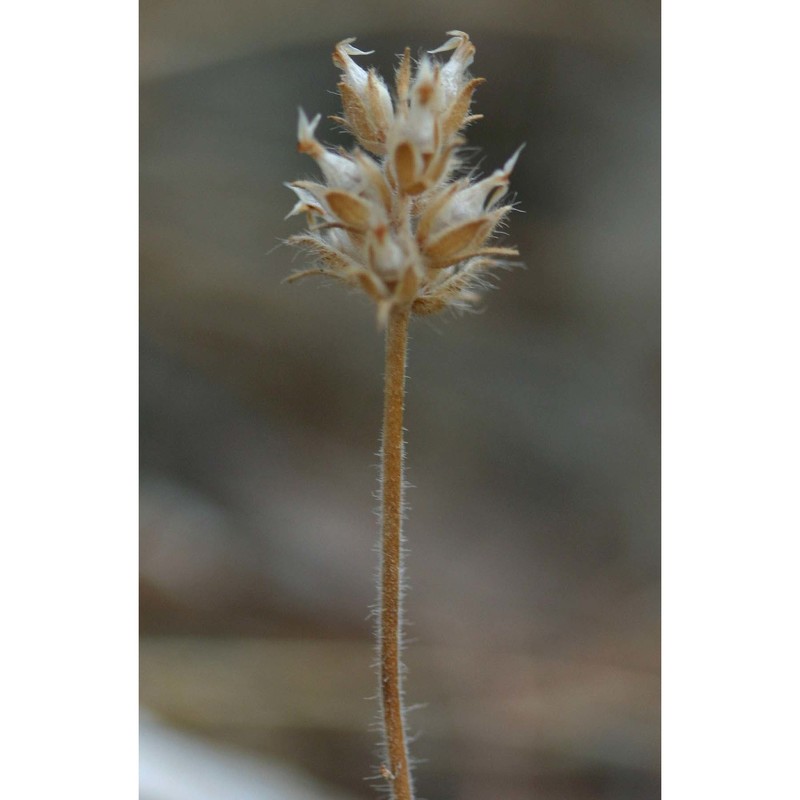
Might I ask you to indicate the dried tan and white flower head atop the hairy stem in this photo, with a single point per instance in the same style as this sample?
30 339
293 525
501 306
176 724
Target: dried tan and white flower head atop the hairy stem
391 217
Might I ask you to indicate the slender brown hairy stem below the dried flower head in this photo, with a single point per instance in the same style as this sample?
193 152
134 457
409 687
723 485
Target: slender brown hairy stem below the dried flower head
389 632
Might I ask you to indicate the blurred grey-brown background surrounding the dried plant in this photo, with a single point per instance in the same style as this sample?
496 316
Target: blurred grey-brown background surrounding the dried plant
533 427
